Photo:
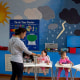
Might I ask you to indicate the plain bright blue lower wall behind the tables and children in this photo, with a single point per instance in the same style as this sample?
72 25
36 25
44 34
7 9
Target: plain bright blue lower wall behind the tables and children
54 57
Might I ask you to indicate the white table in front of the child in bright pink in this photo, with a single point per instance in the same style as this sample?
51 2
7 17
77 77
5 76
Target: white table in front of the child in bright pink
57 65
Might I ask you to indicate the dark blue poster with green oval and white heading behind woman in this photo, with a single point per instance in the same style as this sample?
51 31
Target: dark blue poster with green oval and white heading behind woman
32 37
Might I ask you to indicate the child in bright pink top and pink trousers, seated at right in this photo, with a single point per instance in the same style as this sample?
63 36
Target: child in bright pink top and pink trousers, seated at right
63 60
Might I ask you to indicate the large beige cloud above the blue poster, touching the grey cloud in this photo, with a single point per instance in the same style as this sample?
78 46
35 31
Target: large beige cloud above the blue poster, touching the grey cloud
33 13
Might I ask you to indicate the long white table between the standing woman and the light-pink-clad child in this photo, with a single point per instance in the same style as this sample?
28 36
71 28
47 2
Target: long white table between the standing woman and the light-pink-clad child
39 65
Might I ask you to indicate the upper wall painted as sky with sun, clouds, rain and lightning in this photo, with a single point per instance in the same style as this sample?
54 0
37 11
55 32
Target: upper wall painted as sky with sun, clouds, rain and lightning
51 13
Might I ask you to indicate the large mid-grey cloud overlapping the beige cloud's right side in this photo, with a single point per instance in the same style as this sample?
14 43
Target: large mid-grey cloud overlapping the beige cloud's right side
47 12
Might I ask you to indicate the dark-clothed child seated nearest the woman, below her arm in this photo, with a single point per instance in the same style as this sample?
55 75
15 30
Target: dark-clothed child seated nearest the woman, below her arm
28 59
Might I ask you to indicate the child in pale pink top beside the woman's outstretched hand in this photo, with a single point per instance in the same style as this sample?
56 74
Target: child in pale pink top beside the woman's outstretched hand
43 59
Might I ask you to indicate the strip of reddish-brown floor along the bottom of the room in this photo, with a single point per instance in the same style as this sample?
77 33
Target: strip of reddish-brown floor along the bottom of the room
7 77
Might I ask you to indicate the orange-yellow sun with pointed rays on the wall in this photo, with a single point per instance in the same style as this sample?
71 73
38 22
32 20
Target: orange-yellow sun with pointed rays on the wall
4 12
